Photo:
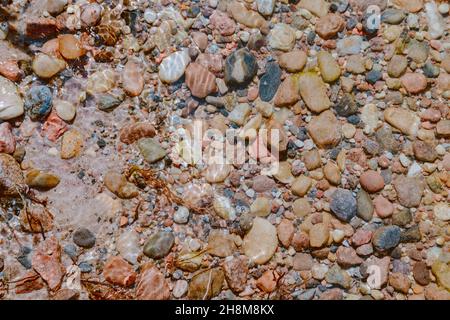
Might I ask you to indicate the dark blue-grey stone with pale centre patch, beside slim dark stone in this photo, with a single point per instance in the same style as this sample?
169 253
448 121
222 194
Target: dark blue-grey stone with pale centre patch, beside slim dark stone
240 67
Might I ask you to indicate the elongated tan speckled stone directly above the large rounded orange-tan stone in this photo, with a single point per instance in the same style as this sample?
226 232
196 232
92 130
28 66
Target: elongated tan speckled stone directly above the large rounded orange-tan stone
313 92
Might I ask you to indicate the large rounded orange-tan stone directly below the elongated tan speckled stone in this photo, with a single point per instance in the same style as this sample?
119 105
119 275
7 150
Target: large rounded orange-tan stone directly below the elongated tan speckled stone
325 130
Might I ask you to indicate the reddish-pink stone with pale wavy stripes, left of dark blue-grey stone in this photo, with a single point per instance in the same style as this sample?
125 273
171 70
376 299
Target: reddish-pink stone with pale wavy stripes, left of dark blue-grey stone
200 80
